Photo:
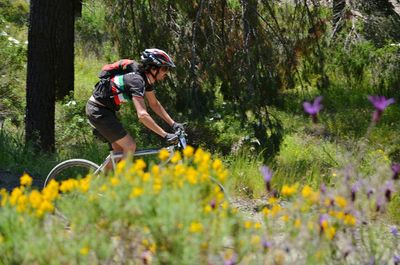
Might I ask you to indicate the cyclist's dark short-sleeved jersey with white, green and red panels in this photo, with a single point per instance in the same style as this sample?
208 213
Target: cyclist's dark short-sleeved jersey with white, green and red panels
120 89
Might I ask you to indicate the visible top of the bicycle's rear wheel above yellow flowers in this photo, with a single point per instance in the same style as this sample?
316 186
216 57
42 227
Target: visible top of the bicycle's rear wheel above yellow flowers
73 168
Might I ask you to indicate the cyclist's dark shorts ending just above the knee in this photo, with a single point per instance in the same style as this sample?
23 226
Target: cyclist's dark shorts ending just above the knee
105 121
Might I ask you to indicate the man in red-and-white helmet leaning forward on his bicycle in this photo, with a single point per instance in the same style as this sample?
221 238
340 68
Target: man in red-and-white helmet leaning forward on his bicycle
134 86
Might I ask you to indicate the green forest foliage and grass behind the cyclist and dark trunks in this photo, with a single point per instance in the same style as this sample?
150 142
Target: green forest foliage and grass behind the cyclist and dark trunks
244 68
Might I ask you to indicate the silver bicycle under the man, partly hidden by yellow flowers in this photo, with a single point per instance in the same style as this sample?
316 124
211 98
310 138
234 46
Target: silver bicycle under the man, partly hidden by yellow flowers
82 167
